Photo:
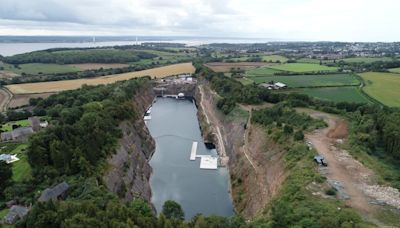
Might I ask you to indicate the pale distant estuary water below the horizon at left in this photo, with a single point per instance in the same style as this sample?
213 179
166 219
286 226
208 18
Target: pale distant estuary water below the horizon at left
12 45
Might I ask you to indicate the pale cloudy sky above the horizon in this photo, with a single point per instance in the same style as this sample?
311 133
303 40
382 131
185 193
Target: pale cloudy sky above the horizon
308 20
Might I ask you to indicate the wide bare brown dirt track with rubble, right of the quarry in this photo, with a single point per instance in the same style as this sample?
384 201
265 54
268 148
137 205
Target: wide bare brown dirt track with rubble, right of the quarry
350 177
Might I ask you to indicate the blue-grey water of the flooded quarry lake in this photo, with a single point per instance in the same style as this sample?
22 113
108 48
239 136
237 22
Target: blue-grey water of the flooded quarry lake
174 126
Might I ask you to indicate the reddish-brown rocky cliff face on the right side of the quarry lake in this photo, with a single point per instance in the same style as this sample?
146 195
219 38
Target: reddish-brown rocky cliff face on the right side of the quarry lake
256 175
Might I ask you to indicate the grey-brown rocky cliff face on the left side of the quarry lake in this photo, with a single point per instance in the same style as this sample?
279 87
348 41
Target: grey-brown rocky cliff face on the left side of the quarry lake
129 170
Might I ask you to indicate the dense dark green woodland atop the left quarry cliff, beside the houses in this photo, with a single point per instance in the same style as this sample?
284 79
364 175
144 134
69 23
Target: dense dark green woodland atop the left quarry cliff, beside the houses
84 128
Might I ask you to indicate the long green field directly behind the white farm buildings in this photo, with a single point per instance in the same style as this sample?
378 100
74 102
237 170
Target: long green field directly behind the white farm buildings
311 80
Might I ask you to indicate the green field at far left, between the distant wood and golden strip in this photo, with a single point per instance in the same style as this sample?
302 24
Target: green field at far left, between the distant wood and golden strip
36 68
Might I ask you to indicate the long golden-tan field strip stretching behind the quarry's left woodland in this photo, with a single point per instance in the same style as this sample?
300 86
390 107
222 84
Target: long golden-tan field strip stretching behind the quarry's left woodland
56 86
